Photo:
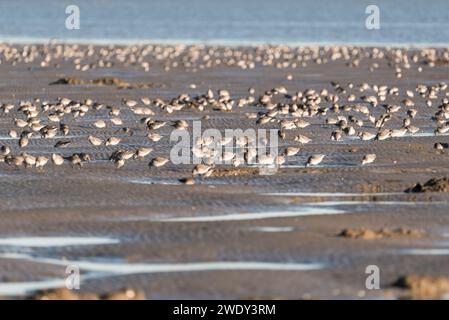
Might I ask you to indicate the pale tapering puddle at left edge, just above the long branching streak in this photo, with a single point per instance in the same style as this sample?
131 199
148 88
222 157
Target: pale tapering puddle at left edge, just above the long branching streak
42 242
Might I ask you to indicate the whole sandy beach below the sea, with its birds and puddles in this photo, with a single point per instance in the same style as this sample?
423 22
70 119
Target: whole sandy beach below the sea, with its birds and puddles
300 233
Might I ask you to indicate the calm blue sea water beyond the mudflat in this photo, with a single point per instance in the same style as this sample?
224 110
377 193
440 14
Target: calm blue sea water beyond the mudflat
402 22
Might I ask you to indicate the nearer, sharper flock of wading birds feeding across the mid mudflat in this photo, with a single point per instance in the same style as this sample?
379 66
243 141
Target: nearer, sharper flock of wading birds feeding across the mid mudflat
47 120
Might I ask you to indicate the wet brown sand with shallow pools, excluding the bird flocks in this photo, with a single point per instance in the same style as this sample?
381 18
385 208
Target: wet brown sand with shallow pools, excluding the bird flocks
236 234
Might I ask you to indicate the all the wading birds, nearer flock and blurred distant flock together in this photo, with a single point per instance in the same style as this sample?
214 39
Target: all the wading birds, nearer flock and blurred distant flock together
352 110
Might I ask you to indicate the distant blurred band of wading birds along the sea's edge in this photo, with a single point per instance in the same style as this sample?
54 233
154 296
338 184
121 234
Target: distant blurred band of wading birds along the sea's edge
197 57
